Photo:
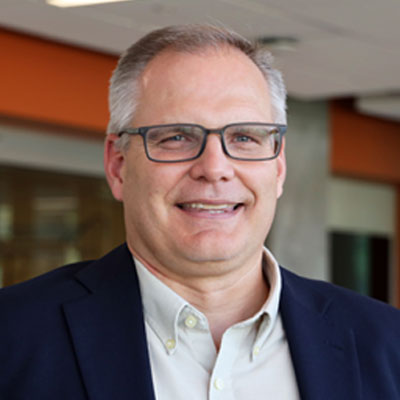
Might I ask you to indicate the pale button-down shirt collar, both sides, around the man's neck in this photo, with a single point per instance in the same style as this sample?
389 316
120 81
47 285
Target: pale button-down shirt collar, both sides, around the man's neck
164 309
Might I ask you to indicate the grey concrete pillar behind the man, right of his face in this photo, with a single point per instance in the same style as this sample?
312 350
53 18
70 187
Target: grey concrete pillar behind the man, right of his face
298 238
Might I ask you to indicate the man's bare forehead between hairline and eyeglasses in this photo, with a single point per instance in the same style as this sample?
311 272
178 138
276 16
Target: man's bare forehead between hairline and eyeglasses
177 85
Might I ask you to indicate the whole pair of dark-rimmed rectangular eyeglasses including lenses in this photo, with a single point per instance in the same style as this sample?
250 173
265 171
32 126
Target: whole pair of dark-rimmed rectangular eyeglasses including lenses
248 141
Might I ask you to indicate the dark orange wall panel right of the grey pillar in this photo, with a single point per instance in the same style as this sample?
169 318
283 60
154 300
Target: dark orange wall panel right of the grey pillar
363 146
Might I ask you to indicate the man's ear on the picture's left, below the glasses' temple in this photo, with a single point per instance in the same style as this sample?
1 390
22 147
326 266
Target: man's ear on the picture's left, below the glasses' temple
113 166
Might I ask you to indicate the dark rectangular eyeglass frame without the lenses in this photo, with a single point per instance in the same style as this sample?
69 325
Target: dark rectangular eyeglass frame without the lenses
142 131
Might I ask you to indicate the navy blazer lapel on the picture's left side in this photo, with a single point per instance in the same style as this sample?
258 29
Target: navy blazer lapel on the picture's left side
107 331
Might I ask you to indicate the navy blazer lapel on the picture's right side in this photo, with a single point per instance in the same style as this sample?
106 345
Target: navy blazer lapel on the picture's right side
323 354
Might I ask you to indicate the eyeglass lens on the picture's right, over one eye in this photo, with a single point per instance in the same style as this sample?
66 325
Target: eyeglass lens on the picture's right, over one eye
252 141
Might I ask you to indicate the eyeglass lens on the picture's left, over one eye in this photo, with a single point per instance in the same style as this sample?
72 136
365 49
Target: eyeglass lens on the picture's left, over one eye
174 142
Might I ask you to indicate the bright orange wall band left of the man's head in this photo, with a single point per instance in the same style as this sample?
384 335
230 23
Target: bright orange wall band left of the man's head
53 83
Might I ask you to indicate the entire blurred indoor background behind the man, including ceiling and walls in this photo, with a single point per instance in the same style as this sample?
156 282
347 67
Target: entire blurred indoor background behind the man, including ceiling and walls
339 218
